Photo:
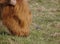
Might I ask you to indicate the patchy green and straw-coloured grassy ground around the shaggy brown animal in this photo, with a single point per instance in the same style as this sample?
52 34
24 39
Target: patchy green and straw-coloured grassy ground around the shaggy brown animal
45 28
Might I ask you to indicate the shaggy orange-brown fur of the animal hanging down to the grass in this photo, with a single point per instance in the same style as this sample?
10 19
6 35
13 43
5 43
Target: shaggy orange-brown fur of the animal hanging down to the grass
17 18
